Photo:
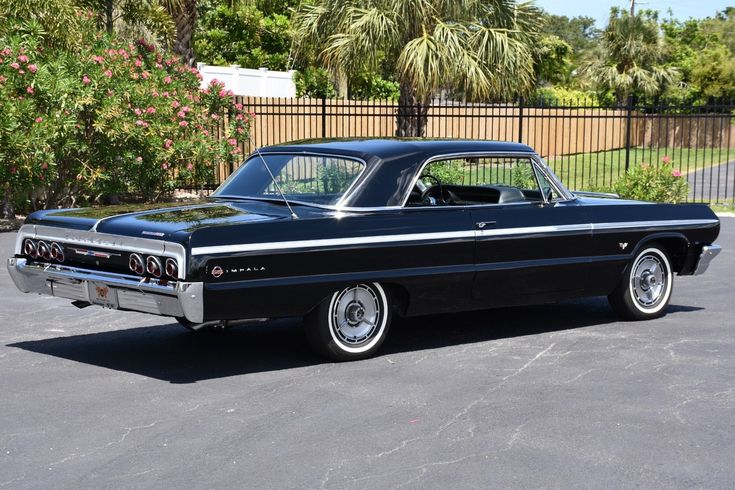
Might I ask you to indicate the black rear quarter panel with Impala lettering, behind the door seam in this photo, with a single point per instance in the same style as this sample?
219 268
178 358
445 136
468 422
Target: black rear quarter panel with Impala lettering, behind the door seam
435 275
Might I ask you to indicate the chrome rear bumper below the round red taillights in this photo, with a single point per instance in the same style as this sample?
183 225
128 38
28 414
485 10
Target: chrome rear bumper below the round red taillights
178 299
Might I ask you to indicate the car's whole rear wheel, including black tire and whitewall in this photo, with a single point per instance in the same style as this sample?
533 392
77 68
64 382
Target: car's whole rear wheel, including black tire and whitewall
351 324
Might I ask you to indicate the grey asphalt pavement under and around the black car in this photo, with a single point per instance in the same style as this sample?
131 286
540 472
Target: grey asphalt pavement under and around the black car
548 396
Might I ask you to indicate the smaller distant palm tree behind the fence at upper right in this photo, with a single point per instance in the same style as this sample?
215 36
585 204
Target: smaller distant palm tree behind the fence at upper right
631 57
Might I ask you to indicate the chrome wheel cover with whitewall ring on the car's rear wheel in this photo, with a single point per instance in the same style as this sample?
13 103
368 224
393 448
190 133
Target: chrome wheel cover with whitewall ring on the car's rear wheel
356 316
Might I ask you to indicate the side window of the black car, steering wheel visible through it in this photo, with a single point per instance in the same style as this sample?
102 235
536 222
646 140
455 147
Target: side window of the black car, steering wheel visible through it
480 180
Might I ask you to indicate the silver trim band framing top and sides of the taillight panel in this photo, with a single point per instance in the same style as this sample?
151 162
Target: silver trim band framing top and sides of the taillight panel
146 246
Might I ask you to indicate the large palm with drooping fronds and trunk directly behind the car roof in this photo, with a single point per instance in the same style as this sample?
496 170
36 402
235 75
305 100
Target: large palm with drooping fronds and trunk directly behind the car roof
480 48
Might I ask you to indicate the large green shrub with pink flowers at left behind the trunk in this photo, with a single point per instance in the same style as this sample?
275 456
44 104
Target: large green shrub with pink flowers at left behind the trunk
112 119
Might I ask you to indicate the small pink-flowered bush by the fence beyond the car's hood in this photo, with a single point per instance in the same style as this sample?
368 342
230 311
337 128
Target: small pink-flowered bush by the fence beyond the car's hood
659 183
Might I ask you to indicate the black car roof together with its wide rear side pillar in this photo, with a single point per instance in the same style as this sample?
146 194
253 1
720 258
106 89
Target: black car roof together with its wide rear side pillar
392 163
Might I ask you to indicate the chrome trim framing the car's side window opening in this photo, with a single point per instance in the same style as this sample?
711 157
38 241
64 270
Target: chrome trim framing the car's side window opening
536 161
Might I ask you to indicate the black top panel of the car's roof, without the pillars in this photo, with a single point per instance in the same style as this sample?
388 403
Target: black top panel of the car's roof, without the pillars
393 149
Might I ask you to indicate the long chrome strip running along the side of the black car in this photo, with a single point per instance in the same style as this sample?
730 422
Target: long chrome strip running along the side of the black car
410 237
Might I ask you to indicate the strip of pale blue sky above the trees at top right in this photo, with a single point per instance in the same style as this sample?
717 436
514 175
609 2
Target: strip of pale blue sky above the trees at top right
600 9
